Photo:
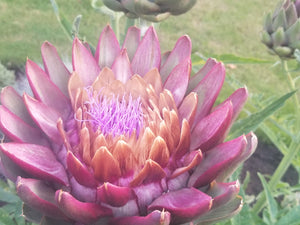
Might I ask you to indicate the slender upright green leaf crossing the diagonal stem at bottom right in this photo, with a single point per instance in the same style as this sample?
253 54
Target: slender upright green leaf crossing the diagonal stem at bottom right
271 203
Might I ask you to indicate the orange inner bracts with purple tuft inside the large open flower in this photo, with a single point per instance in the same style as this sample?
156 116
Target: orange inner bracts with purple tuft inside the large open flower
126 129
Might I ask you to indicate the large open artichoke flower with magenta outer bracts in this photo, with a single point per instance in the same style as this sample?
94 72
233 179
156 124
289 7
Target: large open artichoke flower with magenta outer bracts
126 138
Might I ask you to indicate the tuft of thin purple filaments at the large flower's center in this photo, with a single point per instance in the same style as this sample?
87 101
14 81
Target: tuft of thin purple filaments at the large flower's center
114 115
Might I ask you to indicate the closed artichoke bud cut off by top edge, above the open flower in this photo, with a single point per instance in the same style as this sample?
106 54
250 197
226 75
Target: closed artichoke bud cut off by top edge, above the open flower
150 10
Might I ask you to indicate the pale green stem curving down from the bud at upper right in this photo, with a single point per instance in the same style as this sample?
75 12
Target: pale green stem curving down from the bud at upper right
293 150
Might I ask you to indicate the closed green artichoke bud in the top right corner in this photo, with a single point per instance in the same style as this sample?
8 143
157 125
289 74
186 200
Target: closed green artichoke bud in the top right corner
281 33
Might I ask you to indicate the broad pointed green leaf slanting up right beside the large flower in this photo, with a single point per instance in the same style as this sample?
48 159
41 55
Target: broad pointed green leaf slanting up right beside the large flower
252 122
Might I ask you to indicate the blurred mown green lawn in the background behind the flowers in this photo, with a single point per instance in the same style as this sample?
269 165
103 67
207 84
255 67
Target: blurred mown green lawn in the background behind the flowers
215 27
